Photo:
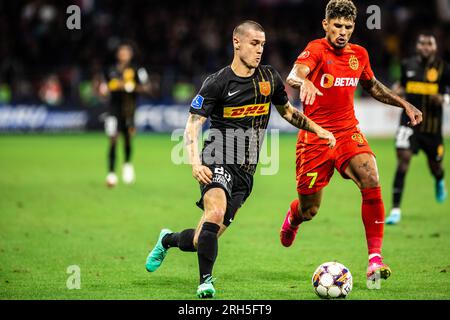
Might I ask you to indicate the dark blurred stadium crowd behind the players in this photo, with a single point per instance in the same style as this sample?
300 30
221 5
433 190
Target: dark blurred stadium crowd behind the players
180 42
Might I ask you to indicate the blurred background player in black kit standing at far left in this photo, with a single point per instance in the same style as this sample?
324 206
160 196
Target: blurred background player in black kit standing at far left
124 81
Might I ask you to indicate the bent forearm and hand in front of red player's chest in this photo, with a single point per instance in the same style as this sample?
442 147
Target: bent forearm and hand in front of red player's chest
297 79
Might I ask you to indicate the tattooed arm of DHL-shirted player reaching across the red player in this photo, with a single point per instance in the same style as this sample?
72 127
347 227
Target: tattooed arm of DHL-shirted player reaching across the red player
299 120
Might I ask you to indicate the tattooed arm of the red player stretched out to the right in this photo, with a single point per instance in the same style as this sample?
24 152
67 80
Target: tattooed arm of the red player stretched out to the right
383 94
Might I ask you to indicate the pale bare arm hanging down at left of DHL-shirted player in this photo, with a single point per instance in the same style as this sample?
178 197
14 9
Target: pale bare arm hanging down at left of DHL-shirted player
194 124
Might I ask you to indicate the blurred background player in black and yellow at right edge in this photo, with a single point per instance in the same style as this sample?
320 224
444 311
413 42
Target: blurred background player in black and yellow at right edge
424 80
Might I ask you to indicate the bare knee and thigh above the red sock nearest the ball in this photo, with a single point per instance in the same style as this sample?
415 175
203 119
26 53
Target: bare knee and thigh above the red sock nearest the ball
363 170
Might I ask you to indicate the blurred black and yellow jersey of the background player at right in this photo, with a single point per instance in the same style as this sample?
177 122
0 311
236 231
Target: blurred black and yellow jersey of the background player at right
421 80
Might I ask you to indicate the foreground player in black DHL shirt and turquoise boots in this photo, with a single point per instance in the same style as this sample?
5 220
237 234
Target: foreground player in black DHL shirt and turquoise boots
237 99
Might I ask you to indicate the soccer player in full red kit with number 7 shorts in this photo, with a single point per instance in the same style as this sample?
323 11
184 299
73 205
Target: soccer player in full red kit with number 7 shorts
327 73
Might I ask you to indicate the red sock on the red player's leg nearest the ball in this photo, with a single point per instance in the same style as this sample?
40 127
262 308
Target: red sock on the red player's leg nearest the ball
373 218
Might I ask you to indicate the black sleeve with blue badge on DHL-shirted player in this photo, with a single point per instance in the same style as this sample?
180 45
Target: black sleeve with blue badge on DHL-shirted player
207 98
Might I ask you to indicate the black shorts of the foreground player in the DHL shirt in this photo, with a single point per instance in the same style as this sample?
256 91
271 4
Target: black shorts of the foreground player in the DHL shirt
236 183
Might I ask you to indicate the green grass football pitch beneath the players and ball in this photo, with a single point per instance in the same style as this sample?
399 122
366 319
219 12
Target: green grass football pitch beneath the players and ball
55 212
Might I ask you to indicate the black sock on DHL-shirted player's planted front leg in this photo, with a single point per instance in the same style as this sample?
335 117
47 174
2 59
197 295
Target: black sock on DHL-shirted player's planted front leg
207 249
